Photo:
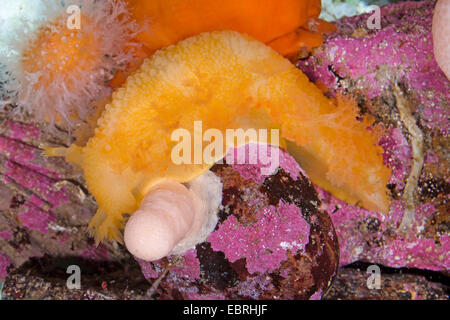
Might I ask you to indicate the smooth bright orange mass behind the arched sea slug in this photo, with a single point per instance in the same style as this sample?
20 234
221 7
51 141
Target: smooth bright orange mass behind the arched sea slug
285 25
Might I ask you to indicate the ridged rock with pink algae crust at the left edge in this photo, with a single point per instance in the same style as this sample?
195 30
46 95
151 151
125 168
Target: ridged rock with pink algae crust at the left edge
44 208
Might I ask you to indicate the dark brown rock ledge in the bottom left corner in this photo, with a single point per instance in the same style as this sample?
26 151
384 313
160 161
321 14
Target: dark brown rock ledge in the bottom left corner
45 279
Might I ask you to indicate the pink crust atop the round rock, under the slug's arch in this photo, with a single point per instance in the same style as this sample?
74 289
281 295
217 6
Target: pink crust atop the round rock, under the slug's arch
250 159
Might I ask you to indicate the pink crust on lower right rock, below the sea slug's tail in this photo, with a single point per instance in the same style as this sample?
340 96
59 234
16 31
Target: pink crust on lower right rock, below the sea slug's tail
399 251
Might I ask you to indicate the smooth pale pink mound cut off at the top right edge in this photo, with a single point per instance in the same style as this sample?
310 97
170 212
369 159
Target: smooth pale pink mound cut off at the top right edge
441 35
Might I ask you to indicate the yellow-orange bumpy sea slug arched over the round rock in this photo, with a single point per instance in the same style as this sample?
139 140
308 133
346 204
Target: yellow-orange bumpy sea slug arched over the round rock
226 80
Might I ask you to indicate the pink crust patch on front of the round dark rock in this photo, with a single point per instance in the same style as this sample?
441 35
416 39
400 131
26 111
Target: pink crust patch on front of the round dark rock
263 244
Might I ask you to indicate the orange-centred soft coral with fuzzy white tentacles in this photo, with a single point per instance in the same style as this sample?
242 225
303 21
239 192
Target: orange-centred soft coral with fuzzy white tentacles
53 72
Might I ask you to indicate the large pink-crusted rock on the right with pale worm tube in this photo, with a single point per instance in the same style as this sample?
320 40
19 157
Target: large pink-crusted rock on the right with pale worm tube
395 78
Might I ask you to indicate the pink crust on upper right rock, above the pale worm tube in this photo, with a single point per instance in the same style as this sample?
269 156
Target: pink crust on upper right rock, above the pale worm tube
401 49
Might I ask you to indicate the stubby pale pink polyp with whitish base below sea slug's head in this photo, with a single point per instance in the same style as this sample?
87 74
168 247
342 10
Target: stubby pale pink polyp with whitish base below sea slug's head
173 219
